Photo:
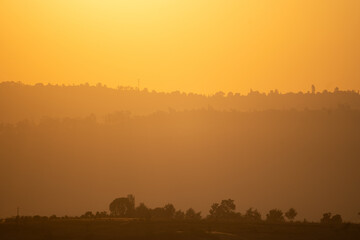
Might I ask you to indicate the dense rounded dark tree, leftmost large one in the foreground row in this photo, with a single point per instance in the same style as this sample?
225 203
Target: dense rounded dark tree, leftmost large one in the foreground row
123 207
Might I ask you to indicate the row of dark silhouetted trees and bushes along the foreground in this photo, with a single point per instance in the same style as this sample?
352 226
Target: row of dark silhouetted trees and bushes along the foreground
224 210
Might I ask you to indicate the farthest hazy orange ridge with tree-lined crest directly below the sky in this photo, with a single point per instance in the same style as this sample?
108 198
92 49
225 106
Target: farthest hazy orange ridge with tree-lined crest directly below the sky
20 101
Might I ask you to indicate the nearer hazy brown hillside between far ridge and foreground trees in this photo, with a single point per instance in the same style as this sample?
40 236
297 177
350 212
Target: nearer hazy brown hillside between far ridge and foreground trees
277 158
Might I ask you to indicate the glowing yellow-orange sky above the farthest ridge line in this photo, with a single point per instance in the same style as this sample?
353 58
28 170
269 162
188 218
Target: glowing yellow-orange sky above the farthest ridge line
189 45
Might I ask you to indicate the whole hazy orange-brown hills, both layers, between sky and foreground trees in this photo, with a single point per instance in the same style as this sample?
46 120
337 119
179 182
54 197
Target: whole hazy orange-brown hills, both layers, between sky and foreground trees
69 149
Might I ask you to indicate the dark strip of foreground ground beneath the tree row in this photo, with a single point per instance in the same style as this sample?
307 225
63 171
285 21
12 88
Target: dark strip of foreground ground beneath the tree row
110 229
